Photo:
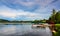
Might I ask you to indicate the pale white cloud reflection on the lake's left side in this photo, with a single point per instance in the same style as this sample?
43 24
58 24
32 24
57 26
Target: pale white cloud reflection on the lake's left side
8 30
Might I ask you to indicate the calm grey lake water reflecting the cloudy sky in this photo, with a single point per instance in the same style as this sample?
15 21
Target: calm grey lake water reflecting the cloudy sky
23 30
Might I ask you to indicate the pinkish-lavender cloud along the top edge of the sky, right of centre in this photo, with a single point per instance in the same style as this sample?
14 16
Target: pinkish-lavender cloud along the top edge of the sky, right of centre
33 2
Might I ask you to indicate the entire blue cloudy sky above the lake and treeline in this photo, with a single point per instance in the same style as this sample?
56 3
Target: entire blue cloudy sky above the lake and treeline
27 9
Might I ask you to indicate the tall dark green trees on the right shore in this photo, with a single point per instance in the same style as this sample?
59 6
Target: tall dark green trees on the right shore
55 17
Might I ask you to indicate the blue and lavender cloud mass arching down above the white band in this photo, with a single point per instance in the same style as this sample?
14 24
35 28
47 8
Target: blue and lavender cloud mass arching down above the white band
30 5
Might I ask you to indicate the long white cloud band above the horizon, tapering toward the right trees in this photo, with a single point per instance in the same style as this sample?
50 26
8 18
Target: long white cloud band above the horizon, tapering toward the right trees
12 14
